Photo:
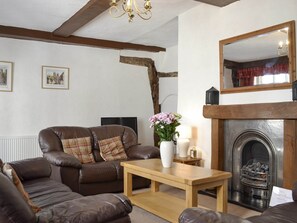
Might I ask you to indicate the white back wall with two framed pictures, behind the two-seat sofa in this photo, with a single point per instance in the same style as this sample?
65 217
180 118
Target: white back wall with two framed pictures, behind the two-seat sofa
99 86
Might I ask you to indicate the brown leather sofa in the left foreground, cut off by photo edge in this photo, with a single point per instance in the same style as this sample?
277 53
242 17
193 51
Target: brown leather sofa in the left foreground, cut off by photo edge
57 202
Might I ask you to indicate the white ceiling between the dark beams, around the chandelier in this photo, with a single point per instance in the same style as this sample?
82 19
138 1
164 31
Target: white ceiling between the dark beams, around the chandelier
161 30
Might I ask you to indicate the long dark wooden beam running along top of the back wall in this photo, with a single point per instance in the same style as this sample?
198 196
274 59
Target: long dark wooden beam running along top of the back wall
29 34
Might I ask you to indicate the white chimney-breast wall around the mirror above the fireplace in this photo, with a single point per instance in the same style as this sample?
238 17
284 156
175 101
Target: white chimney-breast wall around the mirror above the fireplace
200 30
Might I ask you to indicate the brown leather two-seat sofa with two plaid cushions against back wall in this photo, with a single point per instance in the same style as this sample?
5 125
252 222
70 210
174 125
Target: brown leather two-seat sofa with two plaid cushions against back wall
101 176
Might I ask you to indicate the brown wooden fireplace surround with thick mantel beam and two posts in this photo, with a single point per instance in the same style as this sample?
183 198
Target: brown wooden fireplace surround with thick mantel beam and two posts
286 111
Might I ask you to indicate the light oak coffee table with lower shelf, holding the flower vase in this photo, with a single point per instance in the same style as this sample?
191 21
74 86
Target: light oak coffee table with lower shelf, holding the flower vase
186 177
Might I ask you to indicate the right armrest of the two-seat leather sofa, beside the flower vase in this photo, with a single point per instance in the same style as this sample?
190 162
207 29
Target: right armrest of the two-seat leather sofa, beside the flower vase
143 152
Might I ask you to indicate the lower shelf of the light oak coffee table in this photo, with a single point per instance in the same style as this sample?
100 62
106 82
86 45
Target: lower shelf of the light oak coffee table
161 204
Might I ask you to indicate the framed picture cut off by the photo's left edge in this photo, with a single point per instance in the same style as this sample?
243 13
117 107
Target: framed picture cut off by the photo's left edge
6 70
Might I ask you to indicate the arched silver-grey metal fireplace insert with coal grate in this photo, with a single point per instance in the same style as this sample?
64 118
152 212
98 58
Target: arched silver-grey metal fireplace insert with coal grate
255 150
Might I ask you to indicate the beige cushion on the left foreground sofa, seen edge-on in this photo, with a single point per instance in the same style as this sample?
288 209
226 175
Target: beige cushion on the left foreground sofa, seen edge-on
11 174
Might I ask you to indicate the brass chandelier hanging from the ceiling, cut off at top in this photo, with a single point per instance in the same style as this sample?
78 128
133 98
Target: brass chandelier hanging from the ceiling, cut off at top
130 7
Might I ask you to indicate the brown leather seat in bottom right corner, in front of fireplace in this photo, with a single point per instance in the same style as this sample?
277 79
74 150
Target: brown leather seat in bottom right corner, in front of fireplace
282 213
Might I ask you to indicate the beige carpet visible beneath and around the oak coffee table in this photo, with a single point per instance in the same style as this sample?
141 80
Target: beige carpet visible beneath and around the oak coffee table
139 215
